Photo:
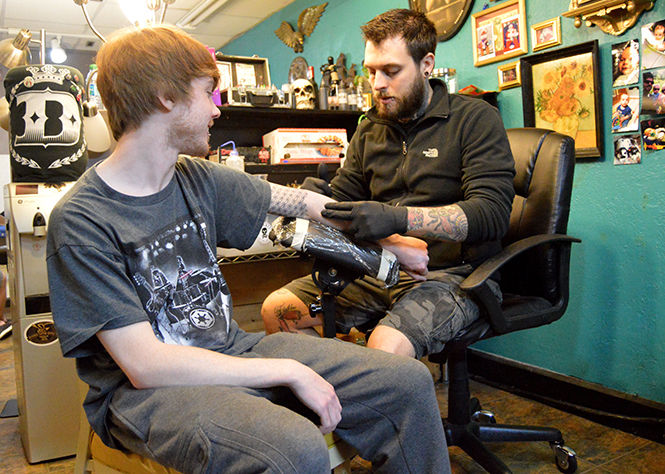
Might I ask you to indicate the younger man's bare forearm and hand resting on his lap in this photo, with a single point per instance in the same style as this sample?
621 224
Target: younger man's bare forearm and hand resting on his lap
149 363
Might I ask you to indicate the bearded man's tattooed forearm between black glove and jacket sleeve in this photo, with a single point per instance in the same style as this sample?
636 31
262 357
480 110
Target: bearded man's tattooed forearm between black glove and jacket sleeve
444 223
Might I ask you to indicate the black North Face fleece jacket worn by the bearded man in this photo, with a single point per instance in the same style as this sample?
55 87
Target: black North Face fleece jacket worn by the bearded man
456 152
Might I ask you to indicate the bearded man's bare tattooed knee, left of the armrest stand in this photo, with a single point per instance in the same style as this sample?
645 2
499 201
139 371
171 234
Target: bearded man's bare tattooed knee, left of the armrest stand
283 311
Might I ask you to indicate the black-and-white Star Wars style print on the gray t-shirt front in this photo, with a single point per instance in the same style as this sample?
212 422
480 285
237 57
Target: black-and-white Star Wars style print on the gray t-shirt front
181 287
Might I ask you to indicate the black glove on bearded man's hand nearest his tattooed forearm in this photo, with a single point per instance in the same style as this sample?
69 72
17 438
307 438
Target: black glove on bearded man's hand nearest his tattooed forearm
370 220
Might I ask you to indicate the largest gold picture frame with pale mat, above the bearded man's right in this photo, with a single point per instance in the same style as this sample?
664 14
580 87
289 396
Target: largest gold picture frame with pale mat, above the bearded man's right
481 20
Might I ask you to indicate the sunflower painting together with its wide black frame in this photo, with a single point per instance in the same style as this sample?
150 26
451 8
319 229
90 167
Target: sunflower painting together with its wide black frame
561 92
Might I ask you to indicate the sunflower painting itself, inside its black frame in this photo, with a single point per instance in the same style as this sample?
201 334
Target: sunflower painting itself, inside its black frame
563 98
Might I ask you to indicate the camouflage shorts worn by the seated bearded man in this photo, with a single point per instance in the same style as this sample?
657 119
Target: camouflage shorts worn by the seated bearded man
428 313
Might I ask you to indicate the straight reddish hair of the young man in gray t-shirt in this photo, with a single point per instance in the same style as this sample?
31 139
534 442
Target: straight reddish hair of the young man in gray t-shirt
137 66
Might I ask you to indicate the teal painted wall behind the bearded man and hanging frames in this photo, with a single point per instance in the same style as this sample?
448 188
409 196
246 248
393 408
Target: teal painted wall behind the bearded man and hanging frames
614 330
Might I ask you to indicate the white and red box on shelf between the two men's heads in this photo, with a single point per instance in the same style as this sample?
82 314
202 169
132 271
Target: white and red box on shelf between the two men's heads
306 145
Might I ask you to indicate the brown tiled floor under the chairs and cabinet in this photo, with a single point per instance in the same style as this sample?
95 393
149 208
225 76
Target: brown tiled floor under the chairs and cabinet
599 449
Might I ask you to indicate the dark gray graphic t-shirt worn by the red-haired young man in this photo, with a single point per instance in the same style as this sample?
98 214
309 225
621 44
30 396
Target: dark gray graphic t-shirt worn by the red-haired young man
115 260
